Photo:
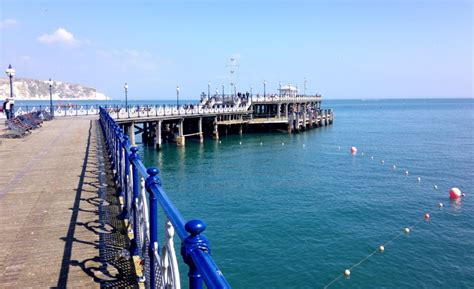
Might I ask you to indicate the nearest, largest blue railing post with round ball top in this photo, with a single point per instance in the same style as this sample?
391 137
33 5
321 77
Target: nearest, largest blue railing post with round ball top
194 241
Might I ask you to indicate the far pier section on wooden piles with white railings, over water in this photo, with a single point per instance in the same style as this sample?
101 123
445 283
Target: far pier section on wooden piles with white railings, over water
158 124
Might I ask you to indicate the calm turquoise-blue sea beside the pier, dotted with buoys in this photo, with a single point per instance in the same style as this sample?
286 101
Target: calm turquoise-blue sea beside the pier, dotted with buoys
294 211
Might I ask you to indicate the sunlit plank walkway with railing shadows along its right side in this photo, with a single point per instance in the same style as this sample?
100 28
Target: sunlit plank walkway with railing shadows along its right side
57 212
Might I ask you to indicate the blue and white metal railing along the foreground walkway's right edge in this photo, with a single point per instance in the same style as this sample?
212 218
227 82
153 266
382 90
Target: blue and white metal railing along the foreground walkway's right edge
141 194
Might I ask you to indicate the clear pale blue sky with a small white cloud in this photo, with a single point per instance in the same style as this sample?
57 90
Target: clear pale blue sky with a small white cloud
343 49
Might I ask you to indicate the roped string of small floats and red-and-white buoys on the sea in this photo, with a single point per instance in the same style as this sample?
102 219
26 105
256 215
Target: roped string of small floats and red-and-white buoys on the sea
454 194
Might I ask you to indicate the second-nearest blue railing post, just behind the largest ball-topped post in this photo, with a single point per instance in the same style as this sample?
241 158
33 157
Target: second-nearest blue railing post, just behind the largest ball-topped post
153 181
